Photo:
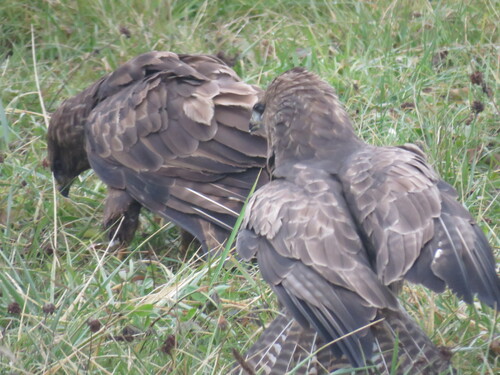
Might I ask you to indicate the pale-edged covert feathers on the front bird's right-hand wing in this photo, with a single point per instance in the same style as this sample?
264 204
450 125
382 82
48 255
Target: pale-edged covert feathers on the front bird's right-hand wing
393 196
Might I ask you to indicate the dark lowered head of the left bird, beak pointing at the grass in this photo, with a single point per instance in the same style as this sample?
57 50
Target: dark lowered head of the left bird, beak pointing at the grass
66 146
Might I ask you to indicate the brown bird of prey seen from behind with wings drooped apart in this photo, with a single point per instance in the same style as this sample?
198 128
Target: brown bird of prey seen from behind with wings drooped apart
344 223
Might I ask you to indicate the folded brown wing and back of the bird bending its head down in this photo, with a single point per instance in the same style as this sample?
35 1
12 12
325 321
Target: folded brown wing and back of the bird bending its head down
156 125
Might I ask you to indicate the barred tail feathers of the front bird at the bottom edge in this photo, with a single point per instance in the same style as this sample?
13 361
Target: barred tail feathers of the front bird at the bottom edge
400 348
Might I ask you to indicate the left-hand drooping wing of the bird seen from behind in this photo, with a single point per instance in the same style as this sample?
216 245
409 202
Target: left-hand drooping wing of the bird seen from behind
308 250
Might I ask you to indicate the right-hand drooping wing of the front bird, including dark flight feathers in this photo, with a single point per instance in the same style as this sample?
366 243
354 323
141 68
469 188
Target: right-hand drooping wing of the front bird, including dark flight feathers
414 226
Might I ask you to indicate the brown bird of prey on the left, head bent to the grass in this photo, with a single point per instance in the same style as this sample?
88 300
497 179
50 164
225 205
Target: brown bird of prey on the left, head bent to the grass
168 132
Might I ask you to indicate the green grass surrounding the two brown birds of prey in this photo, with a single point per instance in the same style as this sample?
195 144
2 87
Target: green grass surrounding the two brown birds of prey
403 69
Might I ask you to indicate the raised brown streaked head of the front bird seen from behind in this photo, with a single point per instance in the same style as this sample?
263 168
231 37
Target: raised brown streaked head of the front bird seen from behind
302 117
